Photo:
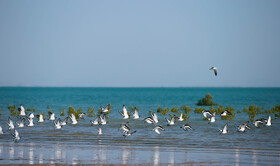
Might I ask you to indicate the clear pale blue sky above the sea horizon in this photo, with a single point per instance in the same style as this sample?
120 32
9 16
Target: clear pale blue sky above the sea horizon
143 43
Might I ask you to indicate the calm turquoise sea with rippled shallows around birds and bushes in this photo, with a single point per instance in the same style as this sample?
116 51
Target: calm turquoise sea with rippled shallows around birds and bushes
79 144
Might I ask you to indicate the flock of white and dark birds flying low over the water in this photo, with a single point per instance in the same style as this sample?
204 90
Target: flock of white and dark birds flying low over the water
124 128
